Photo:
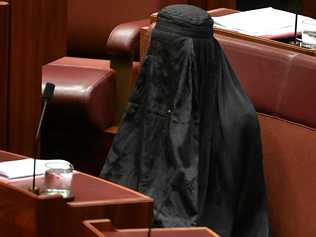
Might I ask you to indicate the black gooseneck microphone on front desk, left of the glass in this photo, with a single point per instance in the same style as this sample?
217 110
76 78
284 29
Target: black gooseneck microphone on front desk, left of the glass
47 95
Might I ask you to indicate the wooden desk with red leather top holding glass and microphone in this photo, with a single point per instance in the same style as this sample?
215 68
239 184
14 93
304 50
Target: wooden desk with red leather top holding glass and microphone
52 216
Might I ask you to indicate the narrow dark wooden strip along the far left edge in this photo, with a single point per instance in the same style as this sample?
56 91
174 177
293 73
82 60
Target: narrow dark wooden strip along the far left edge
4 63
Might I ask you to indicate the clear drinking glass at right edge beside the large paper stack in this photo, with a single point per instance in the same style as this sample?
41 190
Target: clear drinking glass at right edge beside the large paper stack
309 33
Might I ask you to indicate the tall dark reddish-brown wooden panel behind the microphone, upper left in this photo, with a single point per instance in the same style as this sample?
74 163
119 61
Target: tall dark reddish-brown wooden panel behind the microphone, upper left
37 36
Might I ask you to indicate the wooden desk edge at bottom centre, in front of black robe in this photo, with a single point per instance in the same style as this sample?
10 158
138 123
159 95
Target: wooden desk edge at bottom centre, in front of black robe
104 228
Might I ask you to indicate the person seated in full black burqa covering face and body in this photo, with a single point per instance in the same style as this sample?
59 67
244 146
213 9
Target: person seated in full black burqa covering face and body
190 136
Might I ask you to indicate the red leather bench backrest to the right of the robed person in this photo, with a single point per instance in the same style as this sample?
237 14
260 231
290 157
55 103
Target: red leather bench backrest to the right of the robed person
282 86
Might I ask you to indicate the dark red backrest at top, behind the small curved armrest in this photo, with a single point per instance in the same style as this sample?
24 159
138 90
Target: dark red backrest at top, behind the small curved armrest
91 22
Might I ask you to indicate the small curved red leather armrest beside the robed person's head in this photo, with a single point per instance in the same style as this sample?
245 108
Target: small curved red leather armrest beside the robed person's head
124 39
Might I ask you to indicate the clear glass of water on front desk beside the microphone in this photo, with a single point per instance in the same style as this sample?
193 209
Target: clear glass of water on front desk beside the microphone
58 178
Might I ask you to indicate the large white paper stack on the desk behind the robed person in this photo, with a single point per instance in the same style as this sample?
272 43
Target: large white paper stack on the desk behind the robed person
261 22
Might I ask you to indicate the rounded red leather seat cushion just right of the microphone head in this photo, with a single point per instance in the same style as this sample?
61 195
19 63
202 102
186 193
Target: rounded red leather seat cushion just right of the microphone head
83 95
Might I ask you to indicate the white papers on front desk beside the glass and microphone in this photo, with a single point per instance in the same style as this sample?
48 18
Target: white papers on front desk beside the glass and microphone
23 168
